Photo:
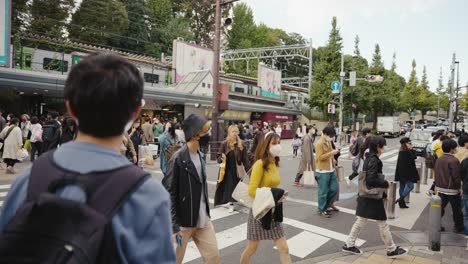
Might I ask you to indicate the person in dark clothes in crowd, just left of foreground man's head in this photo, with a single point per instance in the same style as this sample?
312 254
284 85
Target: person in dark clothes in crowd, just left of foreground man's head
51 132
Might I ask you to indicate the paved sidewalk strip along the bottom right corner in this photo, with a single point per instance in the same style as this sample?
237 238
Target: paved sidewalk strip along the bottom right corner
377 255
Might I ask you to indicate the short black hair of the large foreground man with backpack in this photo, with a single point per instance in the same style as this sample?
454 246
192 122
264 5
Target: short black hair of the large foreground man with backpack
104 91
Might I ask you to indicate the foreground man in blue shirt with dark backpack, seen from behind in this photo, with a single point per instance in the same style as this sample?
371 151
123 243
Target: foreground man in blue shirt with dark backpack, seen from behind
85 202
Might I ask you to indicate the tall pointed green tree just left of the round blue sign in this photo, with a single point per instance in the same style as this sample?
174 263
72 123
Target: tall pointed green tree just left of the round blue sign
327 68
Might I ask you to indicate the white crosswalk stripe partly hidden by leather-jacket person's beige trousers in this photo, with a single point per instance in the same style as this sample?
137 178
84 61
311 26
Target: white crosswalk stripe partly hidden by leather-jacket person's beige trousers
225 239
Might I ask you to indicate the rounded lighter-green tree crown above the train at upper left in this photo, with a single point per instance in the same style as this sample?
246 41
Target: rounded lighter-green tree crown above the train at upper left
99 22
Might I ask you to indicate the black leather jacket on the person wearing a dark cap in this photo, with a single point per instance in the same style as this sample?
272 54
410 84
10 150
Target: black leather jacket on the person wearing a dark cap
185 188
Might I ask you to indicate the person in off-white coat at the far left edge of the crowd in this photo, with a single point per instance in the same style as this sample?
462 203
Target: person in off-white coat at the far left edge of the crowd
13 142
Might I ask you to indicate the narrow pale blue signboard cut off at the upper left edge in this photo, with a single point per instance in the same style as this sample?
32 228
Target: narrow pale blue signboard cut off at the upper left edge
5 28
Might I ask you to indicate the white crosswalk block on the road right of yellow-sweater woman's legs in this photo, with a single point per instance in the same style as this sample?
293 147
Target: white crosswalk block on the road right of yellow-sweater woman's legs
305 243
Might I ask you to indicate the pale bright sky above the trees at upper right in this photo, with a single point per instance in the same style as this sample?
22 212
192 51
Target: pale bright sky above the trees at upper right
429 31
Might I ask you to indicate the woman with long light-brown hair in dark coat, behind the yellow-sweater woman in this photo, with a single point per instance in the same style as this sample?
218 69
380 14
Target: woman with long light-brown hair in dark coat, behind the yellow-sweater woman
234 152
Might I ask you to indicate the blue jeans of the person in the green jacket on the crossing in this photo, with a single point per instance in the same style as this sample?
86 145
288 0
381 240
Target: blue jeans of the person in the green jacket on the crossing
328 187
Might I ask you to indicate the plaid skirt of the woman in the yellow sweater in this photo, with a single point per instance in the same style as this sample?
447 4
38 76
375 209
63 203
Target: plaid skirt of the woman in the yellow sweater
255 230
